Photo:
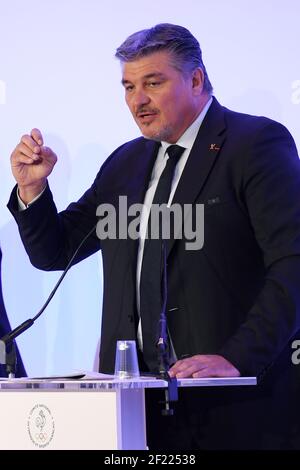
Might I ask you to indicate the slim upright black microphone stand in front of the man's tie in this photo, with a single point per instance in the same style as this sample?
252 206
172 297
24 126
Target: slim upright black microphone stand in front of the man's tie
171 392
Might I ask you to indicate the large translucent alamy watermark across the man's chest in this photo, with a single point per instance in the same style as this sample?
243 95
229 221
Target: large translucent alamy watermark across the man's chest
177 221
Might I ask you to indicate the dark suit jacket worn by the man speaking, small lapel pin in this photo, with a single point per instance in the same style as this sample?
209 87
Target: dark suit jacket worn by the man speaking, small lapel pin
239 296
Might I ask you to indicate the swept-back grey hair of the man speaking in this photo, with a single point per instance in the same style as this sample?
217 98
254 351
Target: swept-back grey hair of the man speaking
175 39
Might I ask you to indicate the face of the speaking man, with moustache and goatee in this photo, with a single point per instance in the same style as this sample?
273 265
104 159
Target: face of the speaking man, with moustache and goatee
161 99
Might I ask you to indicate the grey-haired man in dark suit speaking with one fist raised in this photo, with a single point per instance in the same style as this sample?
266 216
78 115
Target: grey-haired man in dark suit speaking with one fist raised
234 305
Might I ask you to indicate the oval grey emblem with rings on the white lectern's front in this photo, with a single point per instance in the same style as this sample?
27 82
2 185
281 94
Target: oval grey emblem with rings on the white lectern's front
40 426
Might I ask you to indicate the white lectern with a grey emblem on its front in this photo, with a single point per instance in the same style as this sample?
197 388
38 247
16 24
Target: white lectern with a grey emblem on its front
102 413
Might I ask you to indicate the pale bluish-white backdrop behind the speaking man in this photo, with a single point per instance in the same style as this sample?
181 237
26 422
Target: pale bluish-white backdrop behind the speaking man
58 73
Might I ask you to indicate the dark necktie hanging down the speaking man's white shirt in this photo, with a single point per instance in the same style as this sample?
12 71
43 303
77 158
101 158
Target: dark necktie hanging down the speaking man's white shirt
151 272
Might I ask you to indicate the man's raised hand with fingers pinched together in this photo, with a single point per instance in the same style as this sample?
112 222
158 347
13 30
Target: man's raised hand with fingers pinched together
31 163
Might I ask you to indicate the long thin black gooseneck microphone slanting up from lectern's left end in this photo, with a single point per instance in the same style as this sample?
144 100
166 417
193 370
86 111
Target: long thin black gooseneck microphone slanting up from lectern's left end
7 346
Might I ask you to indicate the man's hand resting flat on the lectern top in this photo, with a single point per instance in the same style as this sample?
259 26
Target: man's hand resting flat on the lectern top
203 365
